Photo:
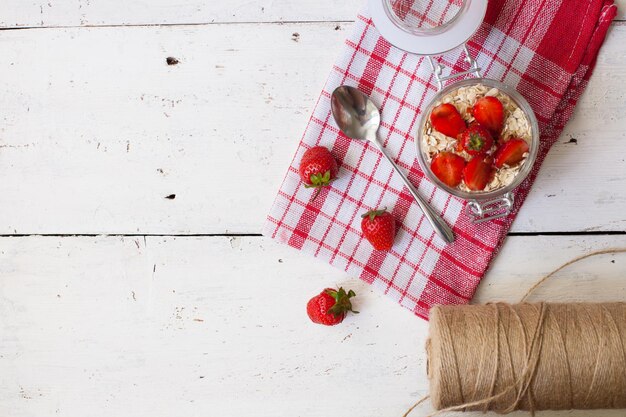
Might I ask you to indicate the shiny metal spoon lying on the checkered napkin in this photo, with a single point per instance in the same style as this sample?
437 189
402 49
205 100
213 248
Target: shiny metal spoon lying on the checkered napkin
357 117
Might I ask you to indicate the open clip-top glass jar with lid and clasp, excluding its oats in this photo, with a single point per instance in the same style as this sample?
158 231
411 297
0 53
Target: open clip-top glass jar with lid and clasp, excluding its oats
432 28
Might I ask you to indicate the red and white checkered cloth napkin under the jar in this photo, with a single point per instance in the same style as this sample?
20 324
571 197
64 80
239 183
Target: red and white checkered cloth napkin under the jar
545 49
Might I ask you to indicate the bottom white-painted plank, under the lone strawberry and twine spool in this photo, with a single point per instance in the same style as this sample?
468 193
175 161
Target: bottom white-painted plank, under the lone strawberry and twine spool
217 326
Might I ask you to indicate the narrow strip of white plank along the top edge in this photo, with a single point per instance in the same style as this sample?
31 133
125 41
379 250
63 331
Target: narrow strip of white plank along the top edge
38 13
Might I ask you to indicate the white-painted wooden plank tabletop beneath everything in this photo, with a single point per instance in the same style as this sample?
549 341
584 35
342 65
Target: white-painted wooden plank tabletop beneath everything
118 301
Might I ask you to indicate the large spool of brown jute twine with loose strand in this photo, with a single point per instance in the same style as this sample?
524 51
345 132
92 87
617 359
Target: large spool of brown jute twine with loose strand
502 357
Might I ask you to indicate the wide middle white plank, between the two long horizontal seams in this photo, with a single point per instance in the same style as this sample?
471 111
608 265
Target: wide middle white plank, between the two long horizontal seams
97 130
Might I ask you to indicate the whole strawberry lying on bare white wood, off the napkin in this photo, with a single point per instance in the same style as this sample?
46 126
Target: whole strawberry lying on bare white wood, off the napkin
330 306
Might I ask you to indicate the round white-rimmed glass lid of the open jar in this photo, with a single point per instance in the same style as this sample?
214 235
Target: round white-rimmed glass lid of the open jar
427 27
